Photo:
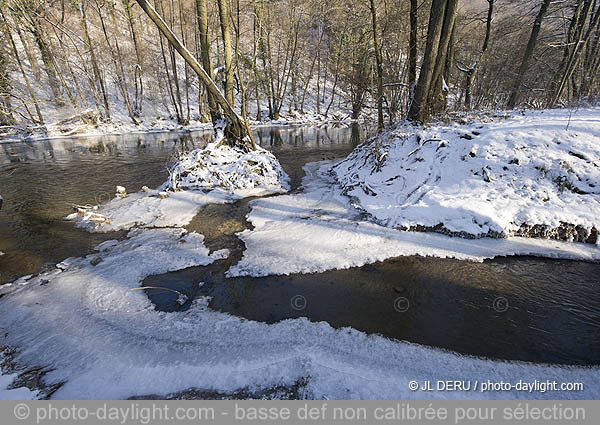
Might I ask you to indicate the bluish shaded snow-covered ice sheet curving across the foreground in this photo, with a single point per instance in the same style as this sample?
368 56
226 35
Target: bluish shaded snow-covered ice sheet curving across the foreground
106 341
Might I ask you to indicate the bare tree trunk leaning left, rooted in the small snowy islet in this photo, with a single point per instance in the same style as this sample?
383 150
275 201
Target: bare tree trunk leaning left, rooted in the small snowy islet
237 131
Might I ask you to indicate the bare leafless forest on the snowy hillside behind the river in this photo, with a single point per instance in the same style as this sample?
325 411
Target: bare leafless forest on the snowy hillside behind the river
94 59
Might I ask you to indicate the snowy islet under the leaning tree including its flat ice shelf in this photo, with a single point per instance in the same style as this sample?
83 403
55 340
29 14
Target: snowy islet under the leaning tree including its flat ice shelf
210 175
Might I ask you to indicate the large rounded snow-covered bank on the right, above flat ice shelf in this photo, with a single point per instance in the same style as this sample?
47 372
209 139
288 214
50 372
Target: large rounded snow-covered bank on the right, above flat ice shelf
533 175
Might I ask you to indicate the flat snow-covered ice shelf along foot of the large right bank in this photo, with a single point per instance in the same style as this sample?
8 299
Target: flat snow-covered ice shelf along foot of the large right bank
318 230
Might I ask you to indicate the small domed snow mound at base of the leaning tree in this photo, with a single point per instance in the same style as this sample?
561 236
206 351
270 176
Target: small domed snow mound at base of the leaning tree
231 168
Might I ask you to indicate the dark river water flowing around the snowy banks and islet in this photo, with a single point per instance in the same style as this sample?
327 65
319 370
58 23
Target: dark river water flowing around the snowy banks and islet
518 308
